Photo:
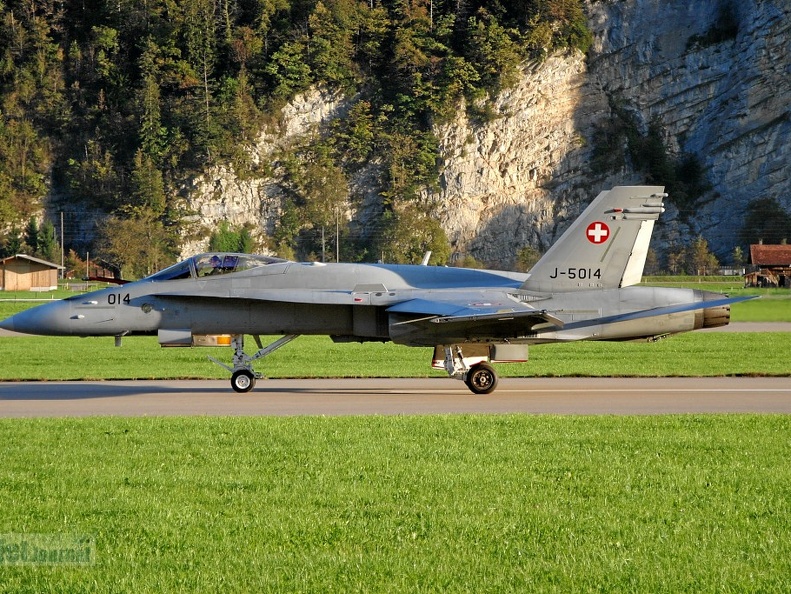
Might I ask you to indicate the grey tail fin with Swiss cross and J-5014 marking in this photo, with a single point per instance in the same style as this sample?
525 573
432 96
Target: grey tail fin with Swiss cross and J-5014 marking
605 247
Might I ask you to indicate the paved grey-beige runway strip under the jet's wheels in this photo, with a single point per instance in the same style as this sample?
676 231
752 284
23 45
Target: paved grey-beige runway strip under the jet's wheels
575 396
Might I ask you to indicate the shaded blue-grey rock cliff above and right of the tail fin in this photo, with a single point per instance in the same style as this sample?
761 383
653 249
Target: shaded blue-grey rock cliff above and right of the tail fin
715 73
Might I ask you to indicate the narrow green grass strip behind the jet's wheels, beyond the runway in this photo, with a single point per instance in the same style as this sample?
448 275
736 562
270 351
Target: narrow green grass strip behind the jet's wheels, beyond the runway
693 354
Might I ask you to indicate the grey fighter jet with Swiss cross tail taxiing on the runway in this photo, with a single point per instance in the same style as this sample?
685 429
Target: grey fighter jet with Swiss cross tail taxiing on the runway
583 288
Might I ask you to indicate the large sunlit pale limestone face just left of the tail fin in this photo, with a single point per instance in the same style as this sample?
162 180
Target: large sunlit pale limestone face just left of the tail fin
503 181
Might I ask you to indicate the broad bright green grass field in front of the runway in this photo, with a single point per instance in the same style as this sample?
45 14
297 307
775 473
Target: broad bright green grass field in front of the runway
409 504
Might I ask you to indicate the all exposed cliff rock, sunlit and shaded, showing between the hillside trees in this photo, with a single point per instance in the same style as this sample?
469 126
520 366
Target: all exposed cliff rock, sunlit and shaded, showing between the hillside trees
714 76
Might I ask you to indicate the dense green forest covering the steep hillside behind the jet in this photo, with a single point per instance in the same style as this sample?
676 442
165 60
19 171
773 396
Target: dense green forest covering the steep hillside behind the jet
113 104
